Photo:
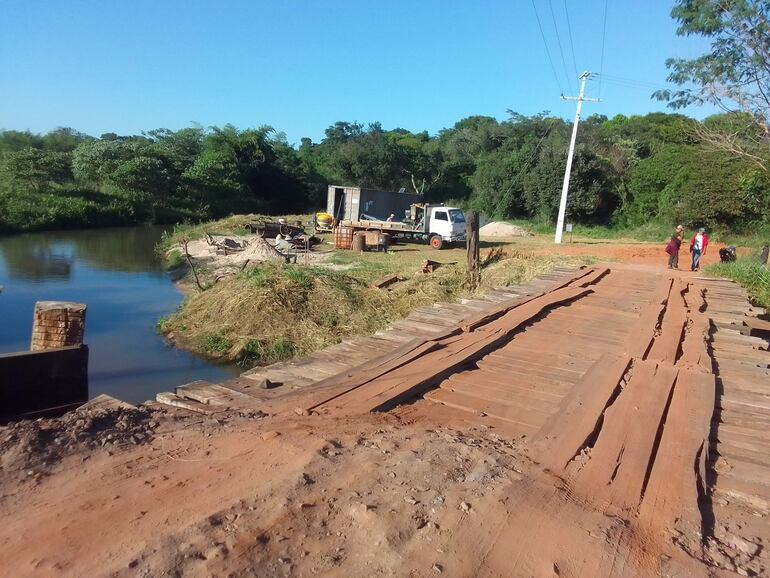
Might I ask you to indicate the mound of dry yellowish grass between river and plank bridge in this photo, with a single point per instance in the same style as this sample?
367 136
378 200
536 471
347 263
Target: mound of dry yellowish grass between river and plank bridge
274 312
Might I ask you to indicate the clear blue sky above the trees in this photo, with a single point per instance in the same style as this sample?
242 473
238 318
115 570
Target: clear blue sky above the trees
300 65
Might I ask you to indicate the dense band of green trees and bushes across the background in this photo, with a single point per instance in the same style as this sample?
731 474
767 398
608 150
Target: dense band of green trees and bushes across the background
627 171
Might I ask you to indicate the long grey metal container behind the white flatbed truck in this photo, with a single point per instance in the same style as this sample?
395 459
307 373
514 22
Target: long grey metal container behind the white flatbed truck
347 203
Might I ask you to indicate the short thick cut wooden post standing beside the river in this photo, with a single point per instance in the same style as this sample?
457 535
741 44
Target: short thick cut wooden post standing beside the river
57 324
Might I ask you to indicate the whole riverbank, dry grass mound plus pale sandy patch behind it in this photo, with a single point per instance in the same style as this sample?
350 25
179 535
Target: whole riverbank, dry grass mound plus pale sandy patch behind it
259 311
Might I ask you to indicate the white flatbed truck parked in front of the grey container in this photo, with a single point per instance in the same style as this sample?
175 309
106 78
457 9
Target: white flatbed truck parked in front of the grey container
437 224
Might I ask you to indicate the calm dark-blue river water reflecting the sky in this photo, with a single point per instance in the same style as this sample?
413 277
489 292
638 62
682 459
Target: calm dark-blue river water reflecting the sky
117 274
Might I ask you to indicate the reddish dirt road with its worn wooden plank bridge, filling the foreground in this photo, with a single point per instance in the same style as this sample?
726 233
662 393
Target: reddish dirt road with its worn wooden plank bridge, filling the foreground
615 424
